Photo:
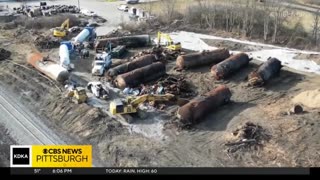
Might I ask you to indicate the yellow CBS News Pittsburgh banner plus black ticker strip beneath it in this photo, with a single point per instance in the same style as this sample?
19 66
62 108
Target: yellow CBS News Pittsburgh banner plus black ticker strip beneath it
77 160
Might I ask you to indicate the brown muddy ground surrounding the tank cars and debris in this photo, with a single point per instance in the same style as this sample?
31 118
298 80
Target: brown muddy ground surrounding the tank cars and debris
294 138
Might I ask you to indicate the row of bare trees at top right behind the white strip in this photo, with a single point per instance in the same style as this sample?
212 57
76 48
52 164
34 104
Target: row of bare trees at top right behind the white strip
263 19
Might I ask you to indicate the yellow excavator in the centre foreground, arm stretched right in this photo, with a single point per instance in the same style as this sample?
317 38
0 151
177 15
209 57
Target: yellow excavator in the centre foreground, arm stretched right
130 105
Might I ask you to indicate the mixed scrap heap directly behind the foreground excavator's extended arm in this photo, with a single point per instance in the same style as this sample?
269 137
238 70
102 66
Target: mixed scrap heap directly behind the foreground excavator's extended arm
173 85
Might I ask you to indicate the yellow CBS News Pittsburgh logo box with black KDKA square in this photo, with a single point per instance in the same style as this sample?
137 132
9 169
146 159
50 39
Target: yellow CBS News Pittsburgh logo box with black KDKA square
51 156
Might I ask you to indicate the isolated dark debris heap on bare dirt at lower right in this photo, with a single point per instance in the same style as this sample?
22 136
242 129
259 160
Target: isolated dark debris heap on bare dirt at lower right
248 136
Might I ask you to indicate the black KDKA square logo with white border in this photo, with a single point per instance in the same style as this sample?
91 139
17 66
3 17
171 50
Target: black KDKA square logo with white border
20 156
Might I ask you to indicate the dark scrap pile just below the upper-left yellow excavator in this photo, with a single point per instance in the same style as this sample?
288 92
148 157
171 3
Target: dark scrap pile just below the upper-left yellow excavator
46 42
